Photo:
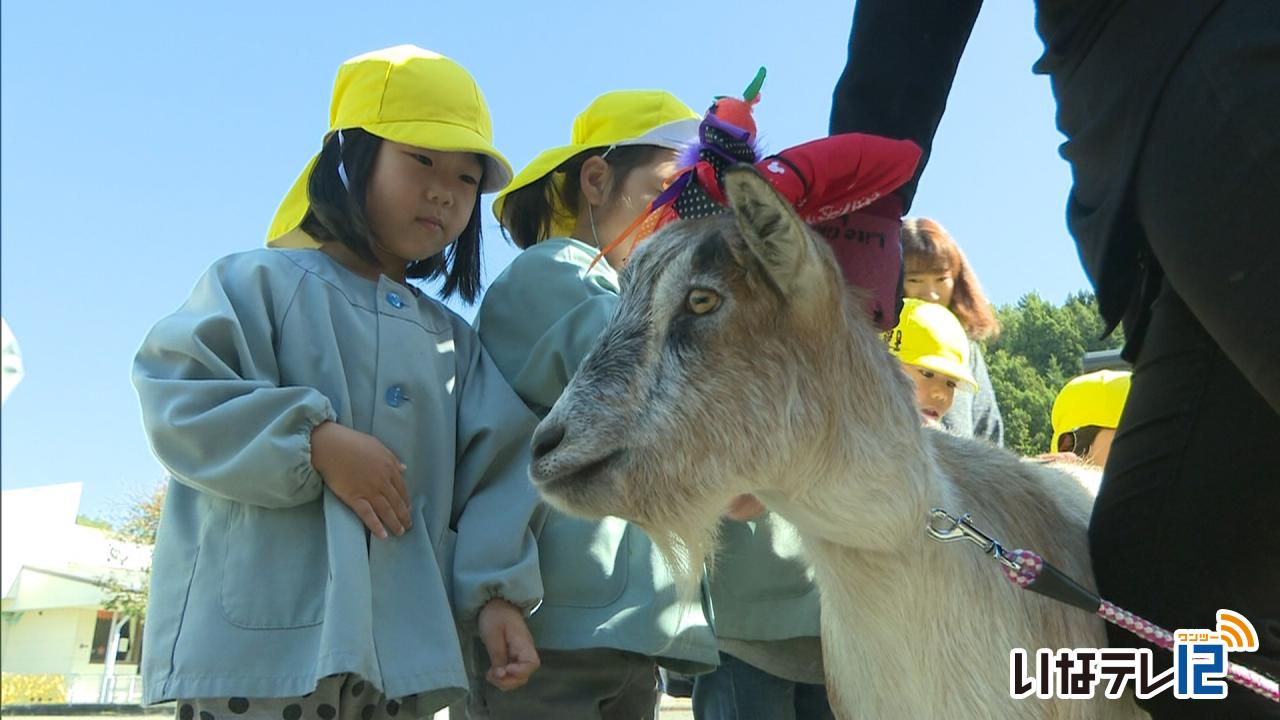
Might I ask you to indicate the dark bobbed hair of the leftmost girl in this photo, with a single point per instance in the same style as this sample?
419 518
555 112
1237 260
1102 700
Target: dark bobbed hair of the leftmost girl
339 215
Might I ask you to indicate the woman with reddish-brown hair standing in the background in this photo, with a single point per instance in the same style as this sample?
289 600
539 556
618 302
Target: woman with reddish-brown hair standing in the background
936 271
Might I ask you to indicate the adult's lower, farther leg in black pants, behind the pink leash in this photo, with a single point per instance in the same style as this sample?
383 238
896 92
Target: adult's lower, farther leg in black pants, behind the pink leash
1185 523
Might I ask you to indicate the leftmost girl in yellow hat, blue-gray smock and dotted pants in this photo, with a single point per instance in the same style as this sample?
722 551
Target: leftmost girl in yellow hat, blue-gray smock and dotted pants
349 463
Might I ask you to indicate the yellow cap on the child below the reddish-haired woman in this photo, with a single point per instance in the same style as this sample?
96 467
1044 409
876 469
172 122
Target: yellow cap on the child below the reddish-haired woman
931 338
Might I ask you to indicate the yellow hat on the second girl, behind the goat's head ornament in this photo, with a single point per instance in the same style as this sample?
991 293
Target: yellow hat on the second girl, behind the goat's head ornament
623 117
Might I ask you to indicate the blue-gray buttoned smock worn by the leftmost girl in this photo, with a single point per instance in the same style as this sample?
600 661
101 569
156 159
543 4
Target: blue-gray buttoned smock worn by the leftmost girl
263 581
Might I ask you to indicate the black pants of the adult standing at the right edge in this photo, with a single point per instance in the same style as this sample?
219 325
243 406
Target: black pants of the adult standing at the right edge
1188 517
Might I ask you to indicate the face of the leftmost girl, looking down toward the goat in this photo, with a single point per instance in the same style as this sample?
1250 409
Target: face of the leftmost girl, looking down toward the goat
420 200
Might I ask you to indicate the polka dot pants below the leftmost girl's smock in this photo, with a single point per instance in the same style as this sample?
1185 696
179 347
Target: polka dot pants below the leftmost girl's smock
337 698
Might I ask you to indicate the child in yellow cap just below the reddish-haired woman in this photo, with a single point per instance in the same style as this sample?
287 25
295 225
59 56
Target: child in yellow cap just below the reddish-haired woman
932 347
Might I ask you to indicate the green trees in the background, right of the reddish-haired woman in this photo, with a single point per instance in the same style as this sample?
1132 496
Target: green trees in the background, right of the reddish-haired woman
1040 348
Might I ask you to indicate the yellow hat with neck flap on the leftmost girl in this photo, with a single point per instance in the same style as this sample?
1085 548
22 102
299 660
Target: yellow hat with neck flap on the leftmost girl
409 95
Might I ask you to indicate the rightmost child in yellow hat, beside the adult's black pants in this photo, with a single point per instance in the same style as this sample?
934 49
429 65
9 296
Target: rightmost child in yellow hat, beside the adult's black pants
1087 413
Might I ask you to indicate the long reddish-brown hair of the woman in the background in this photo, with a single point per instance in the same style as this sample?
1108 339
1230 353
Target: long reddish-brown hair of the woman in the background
929 248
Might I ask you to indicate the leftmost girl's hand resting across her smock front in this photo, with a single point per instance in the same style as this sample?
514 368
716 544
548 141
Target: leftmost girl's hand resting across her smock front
364 475
